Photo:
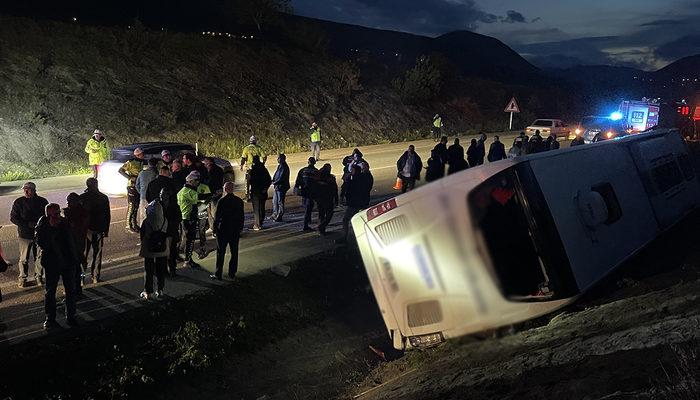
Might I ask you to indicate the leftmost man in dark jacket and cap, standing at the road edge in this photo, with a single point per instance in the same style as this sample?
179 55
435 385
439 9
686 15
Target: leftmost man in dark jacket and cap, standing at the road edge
25 213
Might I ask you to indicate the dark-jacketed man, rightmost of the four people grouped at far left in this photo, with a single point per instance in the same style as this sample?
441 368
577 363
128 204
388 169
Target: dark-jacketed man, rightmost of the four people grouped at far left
99 214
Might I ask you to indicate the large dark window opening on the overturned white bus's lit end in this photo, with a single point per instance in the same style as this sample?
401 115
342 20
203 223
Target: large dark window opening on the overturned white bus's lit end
524 247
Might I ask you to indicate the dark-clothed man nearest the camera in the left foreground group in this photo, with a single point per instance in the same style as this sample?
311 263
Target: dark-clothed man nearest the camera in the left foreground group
59 259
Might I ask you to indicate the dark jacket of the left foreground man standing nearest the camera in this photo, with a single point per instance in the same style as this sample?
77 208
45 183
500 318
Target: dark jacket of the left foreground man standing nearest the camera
57 245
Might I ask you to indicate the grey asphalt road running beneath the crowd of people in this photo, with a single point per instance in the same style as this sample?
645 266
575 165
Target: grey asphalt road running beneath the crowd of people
21 312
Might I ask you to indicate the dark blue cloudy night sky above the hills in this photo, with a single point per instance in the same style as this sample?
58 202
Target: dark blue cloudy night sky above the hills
646 34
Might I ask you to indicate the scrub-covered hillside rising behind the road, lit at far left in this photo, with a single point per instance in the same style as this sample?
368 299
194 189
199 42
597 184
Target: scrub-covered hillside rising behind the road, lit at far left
59 81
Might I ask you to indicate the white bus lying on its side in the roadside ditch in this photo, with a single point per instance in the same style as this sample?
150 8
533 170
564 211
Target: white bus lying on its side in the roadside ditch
519 238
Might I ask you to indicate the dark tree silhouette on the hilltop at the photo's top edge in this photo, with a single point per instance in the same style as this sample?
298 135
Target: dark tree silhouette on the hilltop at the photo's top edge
260 13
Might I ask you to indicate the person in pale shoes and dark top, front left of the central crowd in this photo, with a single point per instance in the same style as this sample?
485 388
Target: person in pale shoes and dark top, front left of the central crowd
154 249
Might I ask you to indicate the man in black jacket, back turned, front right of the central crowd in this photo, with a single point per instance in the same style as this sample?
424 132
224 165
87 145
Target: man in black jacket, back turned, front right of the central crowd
228 224
